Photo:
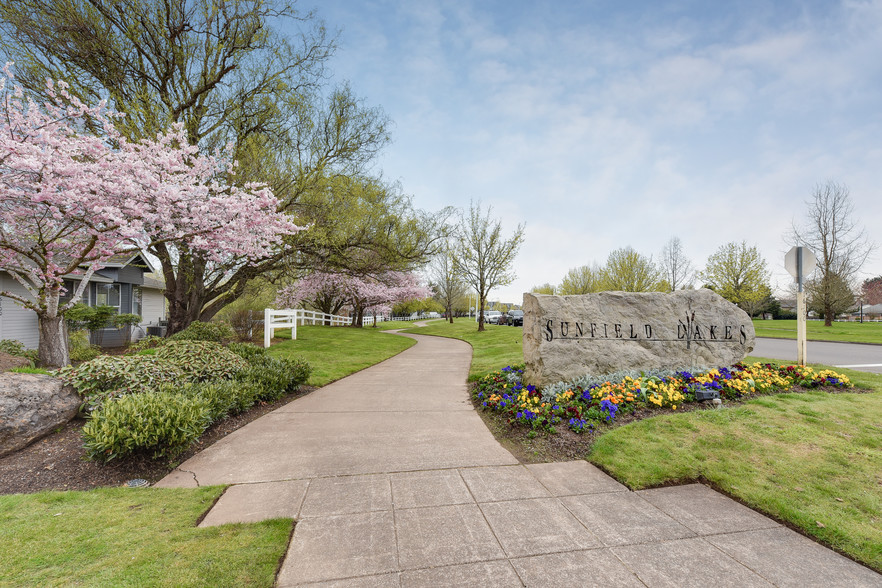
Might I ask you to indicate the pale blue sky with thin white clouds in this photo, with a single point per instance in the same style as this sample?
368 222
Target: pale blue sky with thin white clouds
602 124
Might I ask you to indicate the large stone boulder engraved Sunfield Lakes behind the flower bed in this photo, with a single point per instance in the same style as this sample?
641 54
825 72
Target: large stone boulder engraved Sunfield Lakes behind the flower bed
569 336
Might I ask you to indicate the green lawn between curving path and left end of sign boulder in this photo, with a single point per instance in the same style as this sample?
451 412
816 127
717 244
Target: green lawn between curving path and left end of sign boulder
492 349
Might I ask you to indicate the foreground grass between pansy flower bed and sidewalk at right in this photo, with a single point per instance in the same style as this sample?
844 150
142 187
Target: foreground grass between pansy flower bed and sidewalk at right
812 459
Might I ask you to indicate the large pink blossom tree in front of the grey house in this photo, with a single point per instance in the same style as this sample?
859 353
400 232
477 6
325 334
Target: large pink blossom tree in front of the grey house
71 198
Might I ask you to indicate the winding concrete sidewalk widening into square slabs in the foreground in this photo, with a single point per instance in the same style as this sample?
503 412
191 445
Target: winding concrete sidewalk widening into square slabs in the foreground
395 481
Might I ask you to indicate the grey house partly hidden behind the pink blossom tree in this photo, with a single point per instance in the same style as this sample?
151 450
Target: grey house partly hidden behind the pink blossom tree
124 283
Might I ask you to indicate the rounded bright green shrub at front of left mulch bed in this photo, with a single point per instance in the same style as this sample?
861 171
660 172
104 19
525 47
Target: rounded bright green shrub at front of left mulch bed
157 423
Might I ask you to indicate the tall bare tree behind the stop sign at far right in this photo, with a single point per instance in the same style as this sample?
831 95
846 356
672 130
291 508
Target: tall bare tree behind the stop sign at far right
841 246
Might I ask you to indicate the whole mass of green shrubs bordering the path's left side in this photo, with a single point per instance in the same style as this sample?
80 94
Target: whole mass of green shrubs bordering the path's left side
160 403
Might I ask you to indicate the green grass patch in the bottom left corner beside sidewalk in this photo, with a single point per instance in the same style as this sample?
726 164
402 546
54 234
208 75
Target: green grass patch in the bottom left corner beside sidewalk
132 537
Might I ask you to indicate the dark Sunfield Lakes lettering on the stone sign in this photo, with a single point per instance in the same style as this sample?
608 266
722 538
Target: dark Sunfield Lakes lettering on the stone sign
687 331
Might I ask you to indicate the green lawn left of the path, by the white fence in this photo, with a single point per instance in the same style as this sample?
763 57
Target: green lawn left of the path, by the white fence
336 352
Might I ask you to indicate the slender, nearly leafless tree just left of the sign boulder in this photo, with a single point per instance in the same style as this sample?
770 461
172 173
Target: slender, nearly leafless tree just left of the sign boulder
482 255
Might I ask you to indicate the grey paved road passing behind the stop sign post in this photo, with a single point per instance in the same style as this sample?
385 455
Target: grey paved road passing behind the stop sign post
866 358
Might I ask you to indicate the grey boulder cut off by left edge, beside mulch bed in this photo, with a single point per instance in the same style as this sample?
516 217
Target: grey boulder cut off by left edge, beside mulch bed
31 406
